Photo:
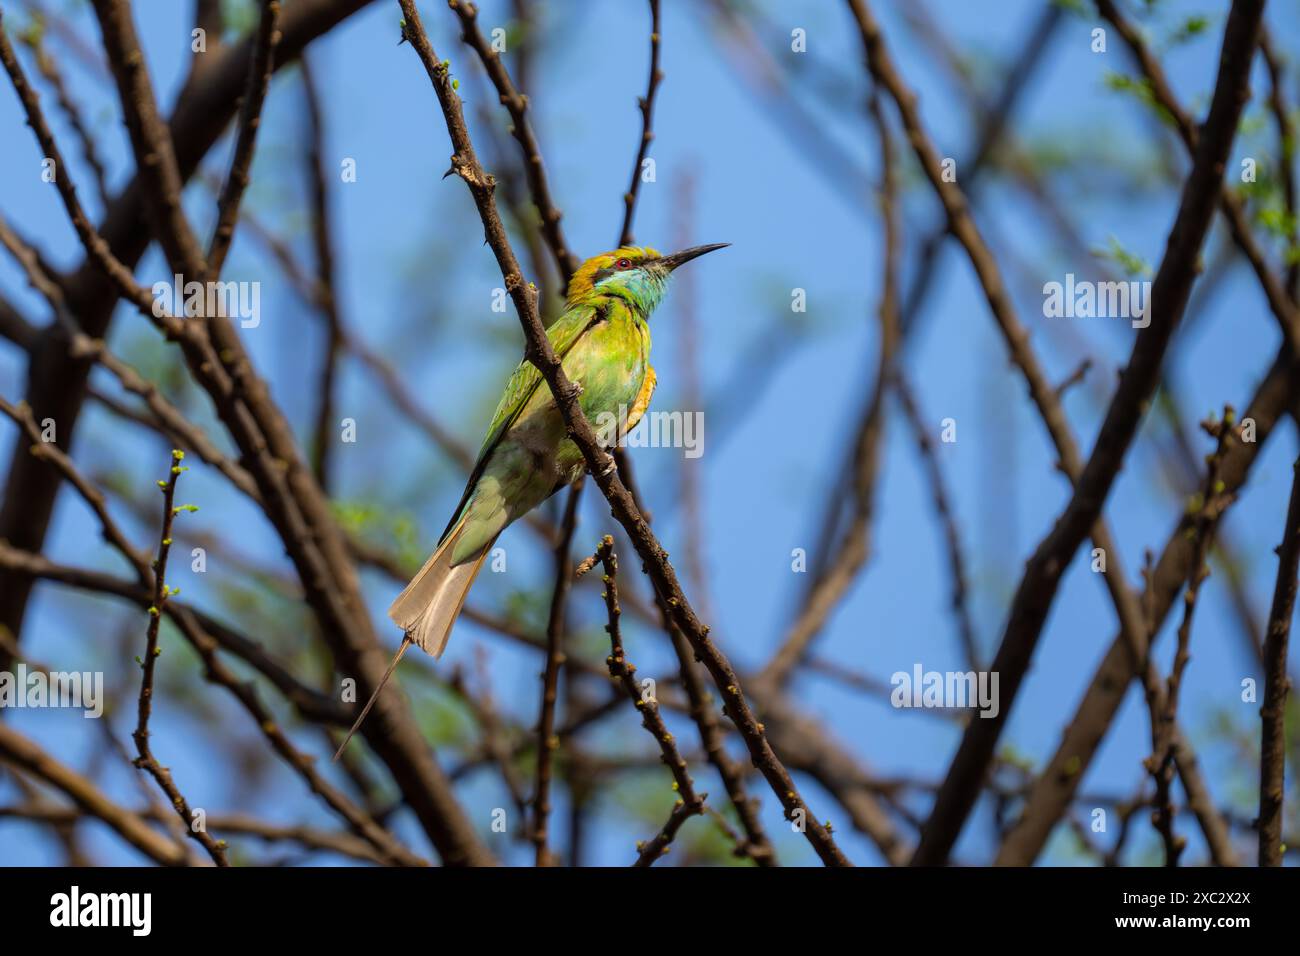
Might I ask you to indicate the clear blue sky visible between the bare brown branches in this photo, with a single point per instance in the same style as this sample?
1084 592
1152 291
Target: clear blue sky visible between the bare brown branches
417 287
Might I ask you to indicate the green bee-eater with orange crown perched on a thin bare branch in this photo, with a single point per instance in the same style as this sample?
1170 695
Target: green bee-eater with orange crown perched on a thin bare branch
604 343
